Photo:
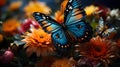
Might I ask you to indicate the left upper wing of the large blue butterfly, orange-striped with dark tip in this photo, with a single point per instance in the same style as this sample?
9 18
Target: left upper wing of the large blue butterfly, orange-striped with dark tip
47 23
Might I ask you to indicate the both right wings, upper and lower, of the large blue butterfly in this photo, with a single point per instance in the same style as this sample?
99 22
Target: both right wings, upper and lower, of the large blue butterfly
74 21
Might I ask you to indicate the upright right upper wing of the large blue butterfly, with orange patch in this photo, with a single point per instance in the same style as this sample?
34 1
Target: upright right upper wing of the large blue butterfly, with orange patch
73 12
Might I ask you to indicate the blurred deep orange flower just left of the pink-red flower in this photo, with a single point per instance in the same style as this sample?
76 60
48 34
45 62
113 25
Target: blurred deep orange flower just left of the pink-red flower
10 26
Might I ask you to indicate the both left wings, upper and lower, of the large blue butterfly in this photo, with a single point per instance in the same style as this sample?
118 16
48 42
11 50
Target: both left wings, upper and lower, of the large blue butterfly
50 26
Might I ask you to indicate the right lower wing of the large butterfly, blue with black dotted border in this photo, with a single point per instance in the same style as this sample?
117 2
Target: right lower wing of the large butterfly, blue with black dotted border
81 31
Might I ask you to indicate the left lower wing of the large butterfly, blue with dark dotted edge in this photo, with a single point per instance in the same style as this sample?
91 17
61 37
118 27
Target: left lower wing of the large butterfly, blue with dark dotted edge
60 40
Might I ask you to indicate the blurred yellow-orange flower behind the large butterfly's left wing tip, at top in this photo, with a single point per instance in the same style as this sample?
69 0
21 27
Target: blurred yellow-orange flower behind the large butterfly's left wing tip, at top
36 7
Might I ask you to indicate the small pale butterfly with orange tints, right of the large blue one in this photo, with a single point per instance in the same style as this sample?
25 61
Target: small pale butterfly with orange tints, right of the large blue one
103 30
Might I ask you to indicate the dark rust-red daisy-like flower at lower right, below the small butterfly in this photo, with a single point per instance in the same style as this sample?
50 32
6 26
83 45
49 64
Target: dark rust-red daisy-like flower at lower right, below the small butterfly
100 49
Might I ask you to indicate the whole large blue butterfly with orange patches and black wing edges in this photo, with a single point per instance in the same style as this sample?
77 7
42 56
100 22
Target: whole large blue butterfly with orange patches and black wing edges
74 26
